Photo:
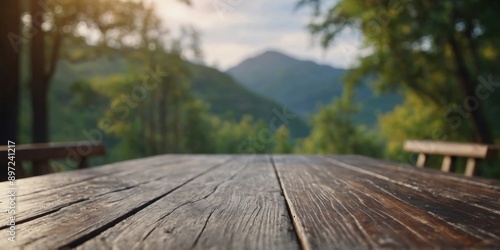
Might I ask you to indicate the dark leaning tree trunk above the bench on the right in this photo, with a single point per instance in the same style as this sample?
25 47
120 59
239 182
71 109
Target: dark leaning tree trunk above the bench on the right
478 121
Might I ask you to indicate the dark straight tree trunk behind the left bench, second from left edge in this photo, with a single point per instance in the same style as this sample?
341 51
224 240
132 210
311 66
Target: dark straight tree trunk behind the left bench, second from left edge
39 83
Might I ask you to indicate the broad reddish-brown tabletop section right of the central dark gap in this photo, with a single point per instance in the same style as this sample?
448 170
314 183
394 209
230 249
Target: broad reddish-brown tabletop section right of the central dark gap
338 207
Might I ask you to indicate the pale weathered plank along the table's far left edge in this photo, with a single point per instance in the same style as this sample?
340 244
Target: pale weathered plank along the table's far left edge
62 192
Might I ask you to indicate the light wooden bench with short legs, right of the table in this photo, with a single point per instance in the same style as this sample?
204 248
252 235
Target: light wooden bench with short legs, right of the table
450 150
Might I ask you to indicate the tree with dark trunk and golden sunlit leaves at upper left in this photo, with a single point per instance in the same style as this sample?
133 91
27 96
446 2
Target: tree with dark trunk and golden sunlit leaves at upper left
54 23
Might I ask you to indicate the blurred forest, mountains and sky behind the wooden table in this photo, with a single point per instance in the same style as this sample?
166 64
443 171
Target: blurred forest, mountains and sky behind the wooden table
242 77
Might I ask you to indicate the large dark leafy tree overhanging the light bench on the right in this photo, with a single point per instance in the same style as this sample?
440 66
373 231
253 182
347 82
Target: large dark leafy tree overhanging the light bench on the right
436 49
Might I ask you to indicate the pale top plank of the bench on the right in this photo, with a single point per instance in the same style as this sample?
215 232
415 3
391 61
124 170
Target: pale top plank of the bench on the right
452 148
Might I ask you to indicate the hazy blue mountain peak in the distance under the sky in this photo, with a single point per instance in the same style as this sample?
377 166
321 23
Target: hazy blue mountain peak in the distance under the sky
302 85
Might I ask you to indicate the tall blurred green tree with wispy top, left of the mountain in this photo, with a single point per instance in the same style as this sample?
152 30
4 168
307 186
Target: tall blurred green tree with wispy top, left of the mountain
148 102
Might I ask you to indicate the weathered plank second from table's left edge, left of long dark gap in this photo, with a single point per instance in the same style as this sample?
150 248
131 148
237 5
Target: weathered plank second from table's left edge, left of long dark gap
85 219
